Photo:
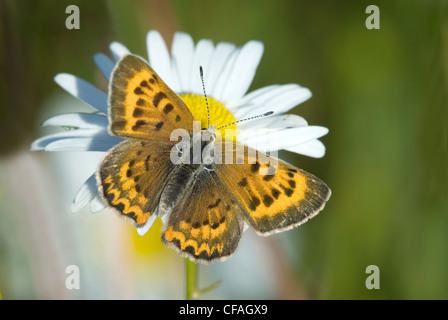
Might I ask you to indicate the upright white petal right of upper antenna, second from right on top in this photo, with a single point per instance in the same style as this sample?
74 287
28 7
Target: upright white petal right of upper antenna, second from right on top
219 60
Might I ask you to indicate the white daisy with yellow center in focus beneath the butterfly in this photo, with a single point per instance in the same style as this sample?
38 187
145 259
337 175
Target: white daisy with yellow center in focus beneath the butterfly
228 73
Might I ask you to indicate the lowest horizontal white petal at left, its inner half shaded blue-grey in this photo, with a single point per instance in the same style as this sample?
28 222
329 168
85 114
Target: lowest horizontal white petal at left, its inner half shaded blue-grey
98 143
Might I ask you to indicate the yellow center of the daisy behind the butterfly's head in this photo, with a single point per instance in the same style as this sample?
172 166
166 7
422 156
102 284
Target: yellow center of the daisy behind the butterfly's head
219 115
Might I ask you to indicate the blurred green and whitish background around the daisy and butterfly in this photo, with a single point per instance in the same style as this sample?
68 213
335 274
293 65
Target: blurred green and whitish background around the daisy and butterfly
382 93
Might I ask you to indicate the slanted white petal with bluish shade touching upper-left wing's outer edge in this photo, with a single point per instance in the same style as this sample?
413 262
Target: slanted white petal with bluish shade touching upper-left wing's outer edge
83 90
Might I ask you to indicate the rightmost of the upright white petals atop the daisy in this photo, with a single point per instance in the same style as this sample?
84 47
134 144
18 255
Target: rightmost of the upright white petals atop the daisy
243 72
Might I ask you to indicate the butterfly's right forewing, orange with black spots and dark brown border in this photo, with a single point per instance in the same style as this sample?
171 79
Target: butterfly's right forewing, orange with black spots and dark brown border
274 195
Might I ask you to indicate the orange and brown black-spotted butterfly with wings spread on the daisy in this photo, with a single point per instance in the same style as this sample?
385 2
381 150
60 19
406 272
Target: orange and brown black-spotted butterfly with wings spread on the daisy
206 203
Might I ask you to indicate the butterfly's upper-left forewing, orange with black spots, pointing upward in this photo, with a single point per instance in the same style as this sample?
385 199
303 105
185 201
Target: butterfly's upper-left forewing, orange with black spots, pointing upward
142 105
